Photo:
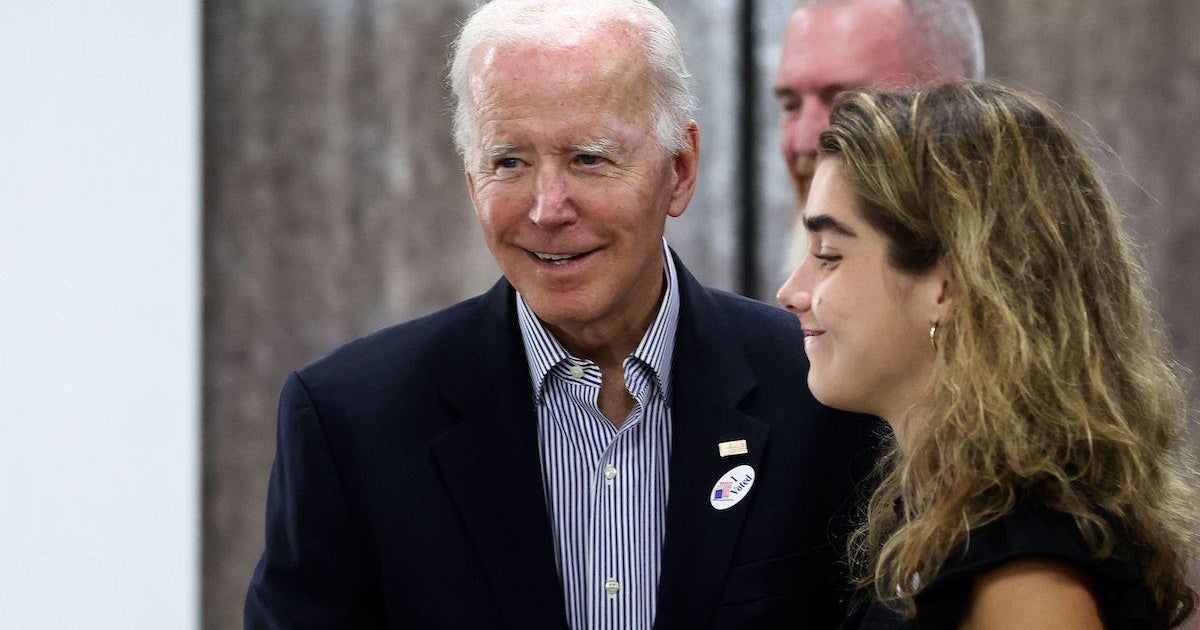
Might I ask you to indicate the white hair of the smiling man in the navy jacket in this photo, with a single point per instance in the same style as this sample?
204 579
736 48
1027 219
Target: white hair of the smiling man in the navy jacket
550 23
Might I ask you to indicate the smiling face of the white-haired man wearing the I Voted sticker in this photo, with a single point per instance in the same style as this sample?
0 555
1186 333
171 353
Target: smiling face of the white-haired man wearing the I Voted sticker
571 188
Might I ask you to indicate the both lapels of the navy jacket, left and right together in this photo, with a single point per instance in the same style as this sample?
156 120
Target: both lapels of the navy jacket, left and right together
490 464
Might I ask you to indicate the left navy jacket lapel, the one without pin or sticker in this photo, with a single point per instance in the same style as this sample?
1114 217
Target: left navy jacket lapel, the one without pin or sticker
490 464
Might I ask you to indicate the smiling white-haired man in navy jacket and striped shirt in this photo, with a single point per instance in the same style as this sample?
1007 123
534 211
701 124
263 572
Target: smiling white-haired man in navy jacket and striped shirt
599 442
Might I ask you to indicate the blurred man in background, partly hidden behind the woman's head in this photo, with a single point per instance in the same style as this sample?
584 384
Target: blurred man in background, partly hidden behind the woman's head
831 46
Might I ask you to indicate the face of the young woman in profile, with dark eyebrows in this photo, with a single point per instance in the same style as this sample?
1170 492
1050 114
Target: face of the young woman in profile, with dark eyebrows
866 325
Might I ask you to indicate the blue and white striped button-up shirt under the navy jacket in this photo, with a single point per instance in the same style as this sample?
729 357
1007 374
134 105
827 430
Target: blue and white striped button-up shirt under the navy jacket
607 488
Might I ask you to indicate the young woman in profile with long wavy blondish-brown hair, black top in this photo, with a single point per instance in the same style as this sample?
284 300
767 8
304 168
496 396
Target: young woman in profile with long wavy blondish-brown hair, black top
968 281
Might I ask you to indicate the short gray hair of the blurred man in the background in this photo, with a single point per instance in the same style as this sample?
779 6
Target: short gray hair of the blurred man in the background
949 28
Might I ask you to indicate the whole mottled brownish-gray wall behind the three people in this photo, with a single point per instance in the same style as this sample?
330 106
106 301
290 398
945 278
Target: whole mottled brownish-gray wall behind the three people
335 205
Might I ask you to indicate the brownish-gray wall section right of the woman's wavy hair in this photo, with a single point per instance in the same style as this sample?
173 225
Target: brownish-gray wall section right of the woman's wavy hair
1129 74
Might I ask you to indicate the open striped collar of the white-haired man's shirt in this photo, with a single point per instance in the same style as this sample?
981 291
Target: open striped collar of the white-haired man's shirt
657 349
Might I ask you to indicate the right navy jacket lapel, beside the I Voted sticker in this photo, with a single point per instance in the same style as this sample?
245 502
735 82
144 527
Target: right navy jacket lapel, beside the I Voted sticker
712 377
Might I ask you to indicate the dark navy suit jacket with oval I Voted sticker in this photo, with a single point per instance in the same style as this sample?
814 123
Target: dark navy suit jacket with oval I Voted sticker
407 490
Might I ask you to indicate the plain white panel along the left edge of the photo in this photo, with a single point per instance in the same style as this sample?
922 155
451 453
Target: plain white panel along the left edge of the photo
99 314
